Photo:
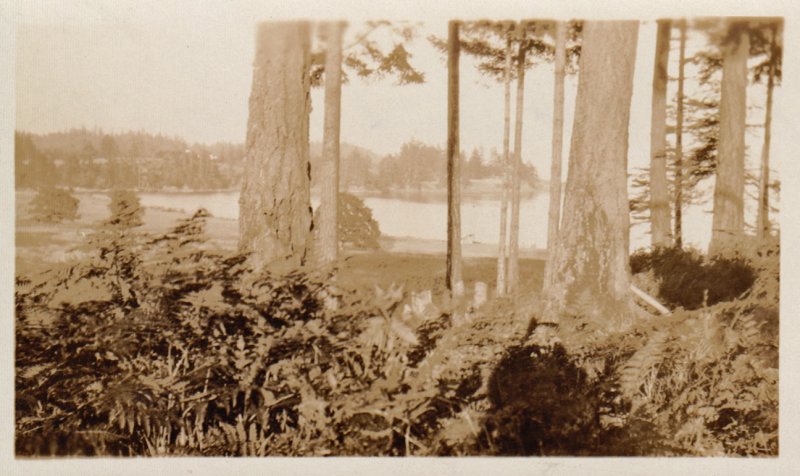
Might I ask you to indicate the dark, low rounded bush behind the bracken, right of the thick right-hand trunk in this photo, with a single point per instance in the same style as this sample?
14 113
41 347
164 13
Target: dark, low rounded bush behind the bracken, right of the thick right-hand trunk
687 279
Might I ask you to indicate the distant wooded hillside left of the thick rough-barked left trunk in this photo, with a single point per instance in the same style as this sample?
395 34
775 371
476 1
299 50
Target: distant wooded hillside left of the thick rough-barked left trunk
132 160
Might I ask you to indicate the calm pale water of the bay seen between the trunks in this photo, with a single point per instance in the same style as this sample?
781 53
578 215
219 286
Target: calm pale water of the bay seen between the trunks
427 219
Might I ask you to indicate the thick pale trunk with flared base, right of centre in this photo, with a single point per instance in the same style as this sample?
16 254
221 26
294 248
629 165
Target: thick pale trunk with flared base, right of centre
590 259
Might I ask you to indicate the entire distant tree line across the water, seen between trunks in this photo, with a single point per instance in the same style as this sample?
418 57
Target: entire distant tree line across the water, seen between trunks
138 160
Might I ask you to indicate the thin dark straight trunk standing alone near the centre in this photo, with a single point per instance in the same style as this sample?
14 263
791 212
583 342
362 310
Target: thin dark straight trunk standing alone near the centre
454 282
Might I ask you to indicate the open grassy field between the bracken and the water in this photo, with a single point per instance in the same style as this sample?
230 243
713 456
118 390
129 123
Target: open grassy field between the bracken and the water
415 263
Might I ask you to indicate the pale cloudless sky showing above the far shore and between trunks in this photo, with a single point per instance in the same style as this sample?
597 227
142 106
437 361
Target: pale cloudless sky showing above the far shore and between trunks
181 70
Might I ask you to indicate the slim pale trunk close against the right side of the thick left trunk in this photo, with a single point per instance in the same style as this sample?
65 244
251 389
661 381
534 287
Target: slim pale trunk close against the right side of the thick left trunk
329 178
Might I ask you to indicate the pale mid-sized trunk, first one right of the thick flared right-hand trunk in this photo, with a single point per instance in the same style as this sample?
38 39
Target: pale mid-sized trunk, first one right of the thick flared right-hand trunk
659 195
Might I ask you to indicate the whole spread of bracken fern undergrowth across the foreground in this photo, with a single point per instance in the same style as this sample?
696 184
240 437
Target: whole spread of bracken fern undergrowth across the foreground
160 345
